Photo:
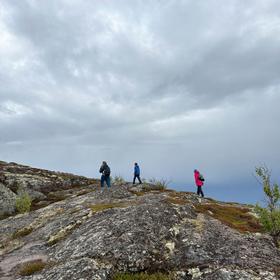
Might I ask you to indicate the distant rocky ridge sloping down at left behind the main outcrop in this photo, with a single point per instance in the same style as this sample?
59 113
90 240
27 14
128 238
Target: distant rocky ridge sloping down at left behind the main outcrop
38 183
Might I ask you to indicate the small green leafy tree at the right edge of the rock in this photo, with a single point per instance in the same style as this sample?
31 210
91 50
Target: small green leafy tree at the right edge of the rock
270 214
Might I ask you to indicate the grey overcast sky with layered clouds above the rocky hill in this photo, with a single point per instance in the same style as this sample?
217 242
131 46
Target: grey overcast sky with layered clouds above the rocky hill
174 85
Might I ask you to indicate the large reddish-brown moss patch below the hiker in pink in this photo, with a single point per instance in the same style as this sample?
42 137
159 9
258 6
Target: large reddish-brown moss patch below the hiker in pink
235 217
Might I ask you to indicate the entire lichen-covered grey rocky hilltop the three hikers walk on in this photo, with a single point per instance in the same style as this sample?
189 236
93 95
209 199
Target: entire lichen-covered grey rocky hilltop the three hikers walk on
75 231
